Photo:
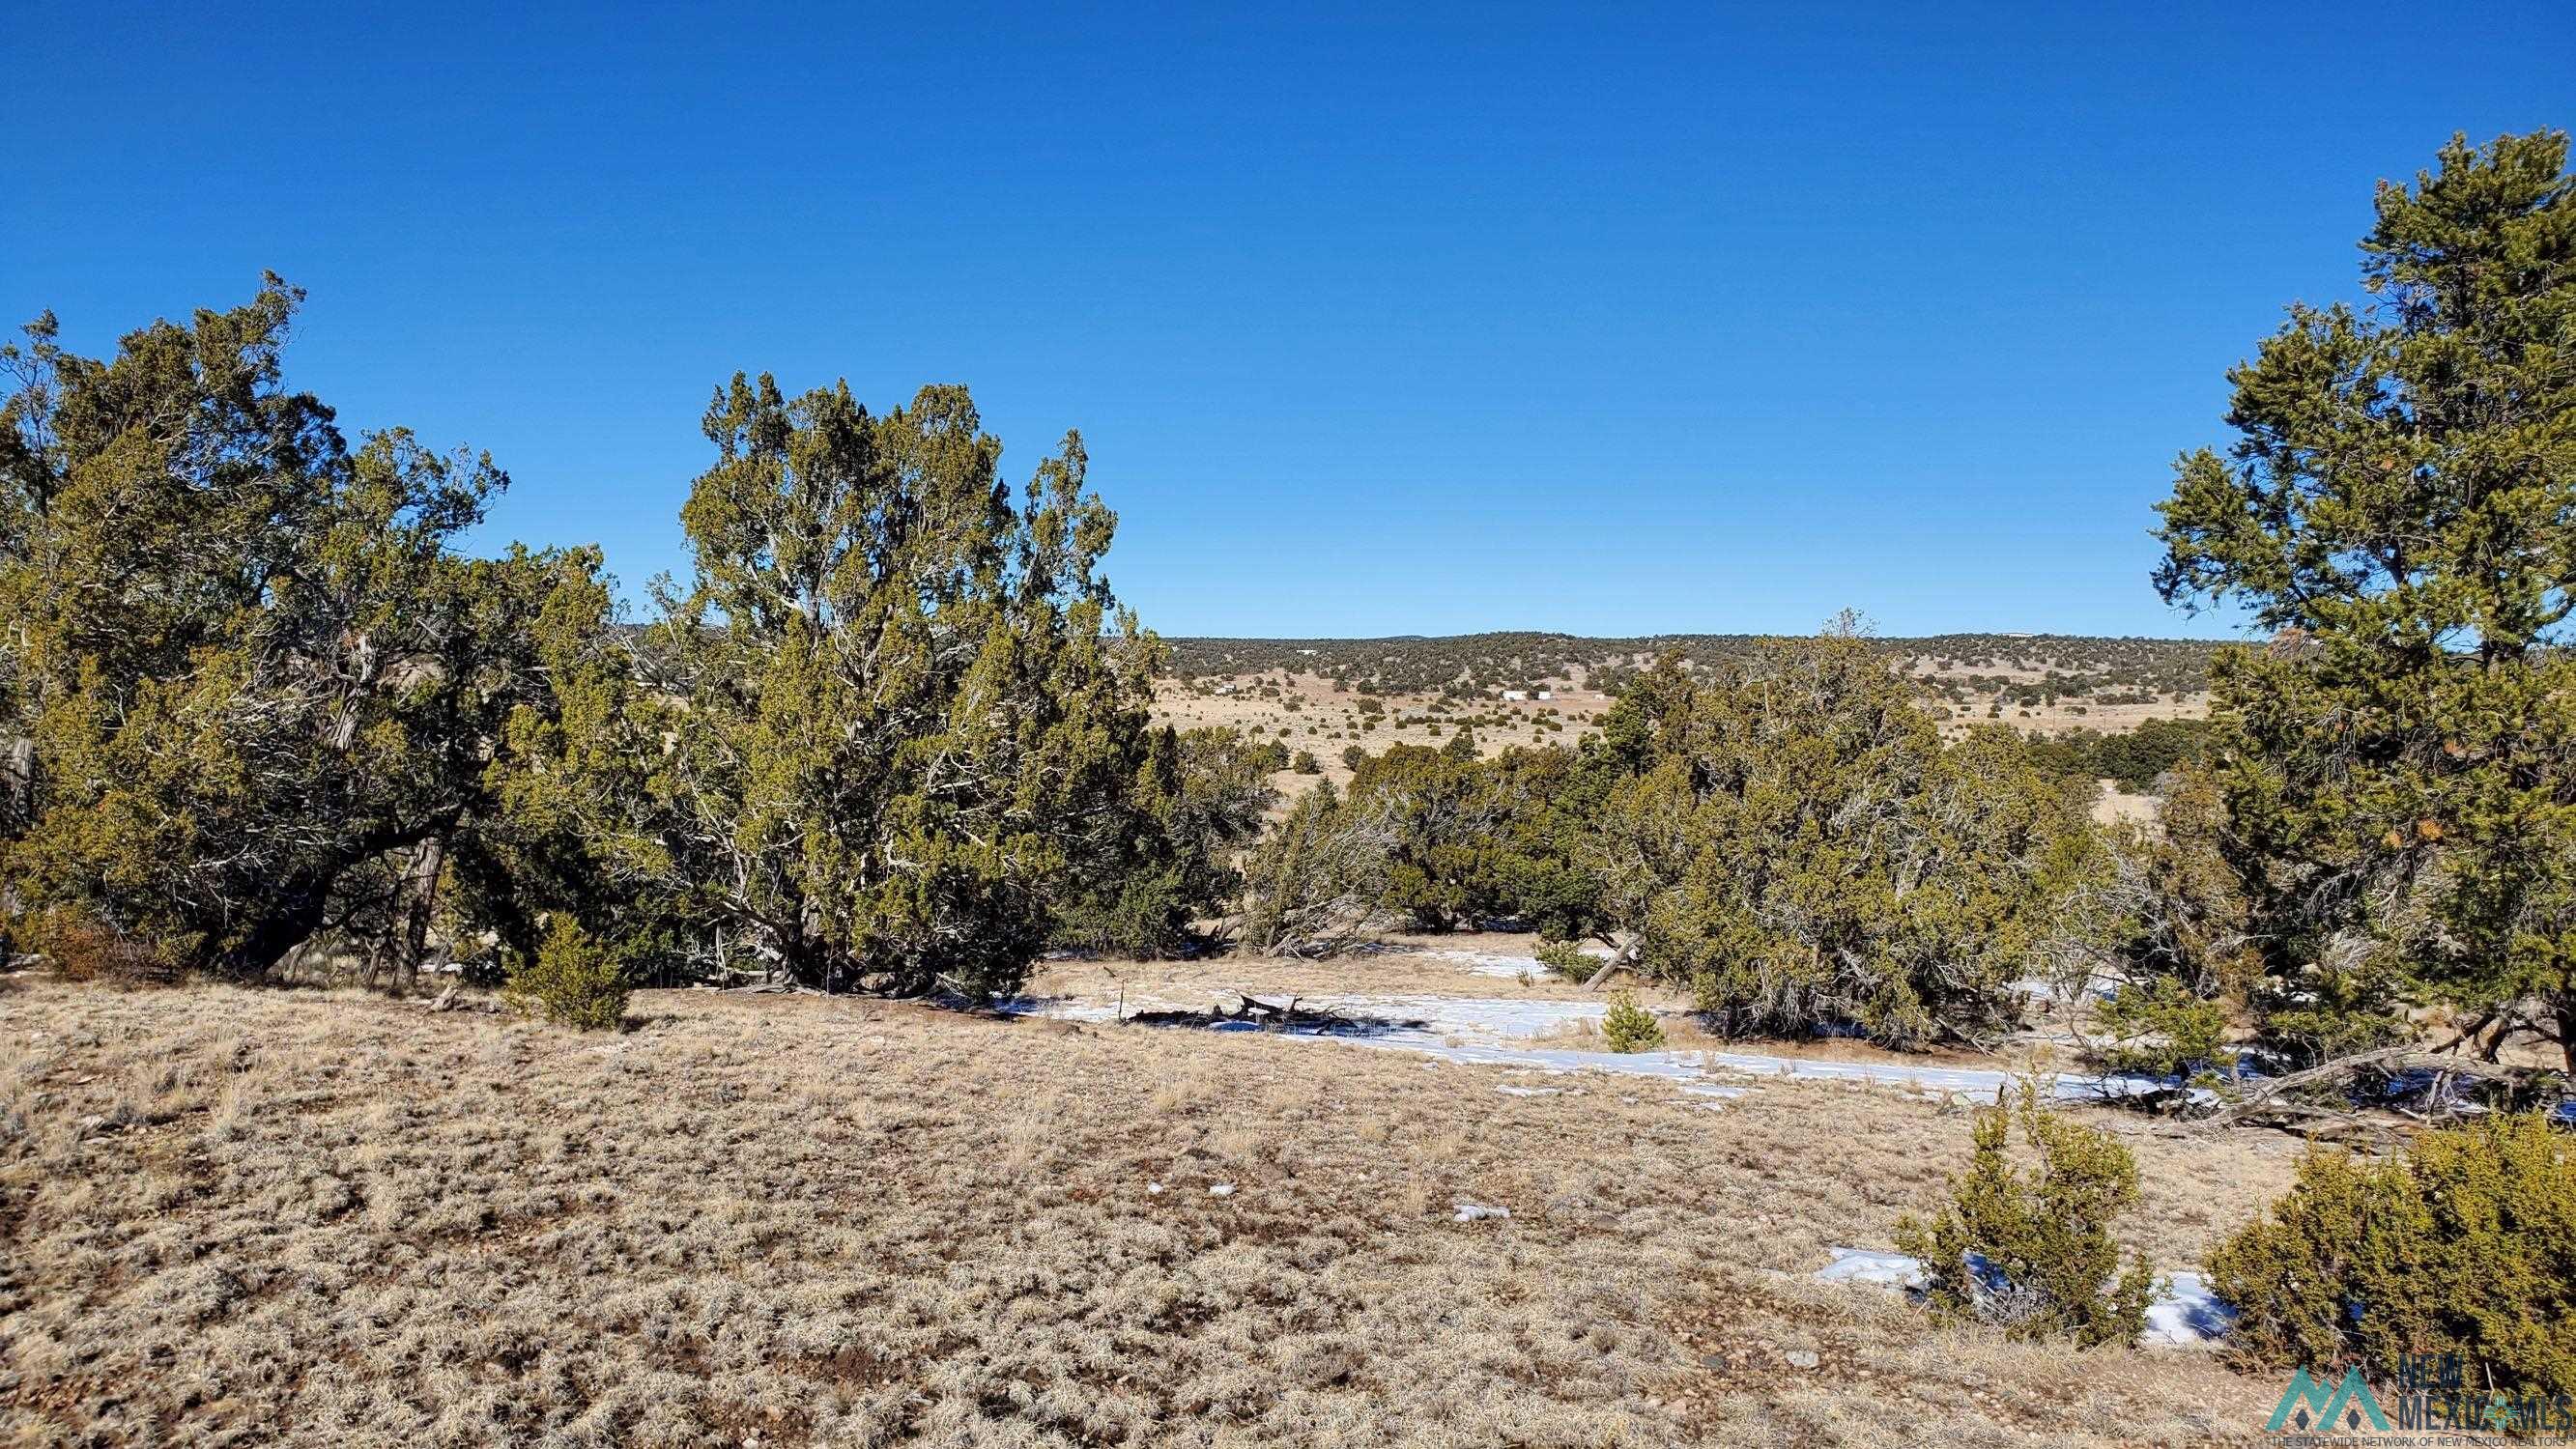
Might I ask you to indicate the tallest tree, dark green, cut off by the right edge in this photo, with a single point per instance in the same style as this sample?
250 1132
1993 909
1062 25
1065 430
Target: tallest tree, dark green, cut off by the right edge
2402 506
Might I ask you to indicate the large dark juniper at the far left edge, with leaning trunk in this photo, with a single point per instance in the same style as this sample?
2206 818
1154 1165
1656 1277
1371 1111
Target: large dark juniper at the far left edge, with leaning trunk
251 681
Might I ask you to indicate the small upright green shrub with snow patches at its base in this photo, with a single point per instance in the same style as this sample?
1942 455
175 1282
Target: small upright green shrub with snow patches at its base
2031 1250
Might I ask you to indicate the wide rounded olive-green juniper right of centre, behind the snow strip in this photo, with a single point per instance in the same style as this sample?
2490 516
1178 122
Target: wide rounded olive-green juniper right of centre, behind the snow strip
1792 840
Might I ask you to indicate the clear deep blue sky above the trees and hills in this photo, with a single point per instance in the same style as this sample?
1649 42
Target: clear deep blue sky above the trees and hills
1379 320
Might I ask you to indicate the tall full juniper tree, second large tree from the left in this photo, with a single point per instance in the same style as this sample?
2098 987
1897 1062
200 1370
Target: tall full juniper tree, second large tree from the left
895 706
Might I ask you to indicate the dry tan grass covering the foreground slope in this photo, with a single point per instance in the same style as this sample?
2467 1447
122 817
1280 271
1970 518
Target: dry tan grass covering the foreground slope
246 1219
